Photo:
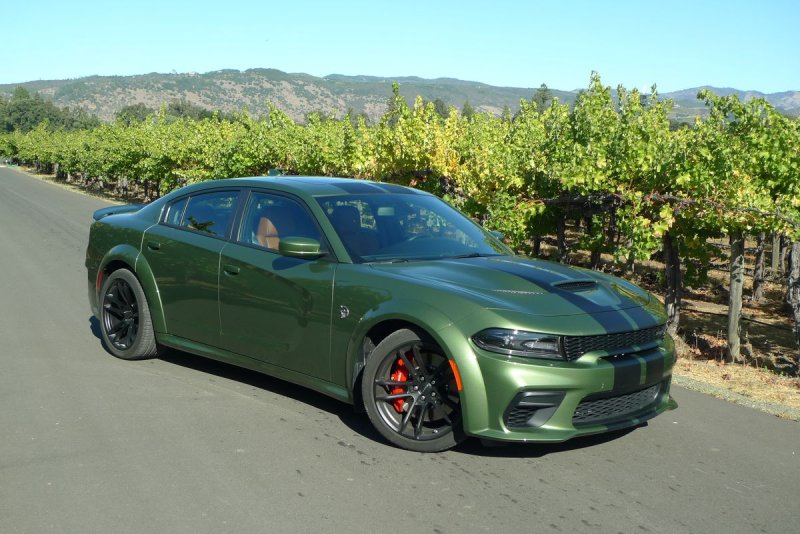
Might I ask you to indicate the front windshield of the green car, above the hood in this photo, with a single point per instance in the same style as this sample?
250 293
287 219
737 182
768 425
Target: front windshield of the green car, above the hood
406 227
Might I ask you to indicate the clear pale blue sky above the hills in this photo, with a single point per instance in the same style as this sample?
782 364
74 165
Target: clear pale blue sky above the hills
677 44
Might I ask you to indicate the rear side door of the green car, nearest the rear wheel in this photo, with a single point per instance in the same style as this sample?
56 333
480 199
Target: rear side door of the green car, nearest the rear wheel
183 253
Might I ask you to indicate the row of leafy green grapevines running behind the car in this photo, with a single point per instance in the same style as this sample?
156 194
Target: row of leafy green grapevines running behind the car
607 175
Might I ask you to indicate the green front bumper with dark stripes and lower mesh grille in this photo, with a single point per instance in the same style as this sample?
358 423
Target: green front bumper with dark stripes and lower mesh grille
516 399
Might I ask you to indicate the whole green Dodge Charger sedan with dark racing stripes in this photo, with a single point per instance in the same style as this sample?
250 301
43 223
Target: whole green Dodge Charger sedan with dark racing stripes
384 297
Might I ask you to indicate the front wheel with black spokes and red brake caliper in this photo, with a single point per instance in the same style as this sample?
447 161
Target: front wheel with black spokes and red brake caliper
410 393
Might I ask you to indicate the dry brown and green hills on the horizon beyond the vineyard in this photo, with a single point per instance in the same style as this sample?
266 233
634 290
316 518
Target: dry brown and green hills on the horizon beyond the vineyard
298 94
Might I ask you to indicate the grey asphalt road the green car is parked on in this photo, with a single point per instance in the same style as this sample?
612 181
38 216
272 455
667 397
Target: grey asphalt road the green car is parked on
89 443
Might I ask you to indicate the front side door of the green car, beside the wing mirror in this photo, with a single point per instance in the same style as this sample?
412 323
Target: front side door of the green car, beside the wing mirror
275 308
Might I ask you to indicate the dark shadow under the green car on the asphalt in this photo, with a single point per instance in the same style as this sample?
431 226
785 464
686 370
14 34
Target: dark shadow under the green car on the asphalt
358 422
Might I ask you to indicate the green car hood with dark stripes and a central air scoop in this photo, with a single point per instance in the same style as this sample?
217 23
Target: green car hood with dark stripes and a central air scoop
530 286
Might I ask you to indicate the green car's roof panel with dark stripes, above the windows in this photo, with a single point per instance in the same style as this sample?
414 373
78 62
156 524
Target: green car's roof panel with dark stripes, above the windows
316 186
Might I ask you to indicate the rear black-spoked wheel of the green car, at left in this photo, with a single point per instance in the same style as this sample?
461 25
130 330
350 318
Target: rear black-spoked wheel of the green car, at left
125 323
